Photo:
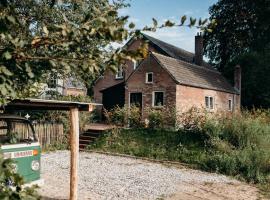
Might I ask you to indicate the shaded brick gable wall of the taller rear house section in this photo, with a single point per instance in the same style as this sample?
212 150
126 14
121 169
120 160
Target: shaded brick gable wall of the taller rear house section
109 80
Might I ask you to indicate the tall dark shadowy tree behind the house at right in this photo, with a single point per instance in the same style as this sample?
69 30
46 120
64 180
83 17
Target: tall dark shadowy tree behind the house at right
241 36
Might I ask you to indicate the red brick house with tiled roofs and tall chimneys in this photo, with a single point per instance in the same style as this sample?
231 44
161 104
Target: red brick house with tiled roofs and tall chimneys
169 76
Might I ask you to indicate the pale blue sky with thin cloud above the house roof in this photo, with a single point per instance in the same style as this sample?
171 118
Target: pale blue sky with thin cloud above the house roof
141 13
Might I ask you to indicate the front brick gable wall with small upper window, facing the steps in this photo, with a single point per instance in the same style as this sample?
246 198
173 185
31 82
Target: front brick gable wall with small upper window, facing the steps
162 81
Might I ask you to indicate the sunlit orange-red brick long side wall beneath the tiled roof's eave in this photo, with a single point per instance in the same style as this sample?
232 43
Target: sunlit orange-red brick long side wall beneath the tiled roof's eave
187 97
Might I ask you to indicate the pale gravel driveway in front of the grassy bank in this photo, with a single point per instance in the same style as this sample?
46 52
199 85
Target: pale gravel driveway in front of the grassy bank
113 177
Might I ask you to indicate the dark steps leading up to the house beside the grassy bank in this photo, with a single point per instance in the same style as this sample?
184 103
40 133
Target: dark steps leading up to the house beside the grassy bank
93 131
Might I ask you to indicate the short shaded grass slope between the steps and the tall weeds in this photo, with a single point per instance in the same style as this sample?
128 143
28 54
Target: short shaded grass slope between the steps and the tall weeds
157 144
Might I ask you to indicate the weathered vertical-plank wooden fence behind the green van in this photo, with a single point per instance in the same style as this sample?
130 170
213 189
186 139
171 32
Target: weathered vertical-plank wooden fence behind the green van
48 133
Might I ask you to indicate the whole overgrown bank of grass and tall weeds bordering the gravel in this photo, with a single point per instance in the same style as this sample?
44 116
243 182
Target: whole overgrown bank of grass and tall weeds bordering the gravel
235 145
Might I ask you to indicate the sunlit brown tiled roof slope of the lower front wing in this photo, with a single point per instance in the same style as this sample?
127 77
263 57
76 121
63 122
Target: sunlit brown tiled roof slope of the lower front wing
193 75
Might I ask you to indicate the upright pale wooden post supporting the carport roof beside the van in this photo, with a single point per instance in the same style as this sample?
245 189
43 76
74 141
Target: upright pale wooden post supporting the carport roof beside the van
74 148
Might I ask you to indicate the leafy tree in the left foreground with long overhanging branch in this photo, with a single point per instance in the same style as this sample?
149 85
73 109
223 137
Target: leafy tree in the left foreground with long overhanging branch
67 37
